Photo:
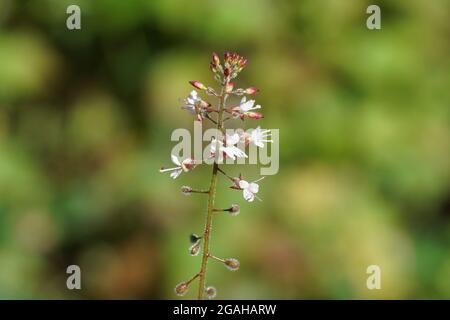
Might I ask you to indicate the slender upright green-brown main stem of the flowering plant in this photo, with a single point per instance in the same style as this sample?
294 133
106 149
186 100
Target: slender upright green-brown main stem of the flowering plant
211 196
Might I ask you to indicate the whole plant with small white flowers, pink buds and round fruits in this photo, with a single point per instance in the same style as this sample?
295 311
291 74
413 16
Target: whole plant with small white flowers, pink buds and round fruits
222 146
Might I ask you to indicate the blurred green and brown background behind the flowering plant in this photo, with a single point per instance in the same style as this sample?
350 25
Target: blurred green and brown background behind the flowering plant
85 124
